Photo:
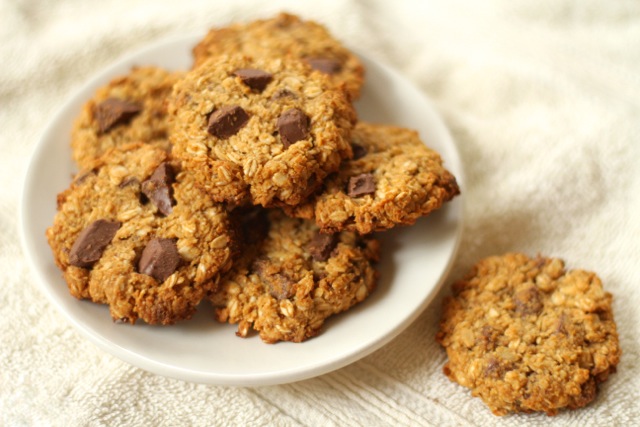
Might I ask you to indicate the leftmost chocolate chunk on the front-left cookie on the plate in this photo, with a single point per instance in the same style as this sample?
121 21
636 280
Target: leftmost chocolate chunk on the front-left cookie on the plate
91 242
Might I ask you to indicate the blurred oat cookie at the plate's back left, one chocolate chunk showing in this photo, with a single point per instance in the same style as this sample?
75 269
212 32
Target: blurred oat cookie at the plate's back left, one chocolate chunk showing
130 108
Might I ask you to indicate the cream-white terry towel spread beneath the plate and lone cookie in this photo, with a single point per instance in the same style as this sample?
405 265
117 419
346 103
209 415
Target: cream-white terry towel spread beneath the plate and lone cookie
543 99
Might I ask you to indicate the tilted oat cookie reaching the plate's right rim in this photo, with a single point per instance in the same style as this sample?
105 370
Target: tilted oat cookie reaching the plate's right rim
393 179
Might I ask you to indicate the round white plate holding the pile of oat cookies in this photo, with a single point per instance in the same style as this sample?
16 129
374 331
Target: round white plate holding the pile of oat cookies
415 263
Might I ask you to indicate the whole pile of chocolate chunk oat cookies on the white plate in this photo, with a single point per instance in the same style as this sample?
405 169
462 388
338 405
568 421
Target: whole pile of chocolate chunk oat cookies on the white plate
247 181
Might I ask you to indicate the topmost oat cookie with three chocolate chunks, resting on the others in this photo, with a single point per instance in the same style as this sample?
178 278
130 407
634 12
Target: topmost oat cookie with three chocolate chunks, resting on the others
262 131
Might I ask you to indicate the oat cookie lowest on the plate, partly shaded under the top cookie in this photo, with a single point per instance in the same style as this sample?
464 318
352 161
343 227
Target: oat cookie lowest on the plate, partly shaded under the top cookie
290 278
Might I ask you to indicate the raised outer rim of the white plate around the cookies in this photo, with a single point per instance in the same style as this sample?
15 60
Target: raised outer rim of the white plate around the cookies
214 378
